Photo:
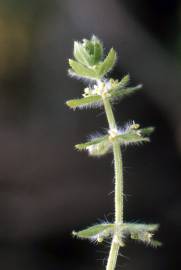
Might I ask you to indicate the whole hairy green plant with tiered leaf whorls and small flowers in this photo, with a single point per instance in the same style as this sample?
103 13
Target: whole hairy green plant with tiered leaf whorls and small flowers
90 65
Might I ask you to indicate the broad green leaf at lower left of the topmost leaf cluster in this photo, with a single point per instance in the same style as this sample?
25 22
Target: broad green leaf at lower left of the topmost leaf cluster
81 71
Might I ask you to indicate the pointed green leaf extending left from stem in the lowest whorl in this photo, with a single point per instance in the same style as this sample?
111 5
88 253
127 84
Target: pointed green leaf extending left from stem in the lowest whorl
95 231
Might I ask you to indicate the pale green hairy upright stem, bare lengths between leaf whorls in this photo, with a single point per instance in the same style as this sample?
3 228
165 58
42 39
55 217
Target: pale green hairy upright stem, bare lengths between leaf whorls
118 169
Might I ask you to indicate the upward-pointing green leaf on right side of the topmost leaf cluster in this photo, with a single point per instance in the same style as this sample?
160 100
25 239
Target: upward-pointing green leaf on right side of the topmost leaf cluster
108 63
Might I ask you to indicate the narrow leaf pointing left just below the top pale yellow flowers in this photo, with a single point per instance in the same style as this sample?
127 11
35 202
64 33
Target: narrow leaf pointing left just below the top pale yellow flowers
80 103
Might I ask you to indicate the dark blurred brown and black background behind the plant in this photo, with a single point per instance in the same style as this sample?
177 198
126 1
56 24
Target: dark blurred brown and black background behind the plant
46 188
